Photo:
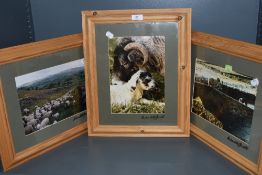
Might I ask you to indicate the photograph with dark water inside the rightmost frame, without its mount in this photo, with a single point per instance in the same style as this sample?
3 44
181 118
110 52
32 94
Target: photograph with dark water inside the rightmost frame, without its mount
225 98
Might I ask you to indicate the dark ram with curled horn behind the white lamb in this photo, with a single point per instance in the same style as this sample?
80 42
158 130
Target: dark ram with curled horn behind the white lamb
138 52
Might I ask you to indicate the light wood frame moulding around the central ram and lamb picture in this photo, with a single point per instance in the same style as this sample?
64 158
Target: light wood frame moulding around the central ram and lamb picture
183 17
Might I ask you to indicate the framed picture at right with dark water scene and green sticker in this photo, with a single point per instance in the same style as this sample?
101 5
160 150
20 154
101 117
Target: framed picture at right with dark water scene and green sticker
227 96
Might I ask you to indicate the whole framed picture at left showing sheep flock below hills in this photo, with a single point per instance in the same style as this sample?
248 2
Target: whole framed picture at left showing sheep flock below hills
42 97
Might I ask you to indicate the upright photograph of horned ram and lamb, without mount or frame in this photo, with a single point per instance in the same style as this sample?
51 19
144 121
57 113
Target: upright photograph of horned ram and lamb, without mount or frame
137 74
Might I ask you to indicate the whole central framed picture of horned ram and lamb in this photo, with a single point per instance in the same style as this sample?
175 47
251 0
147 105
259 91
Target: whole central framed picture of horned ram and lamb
138 79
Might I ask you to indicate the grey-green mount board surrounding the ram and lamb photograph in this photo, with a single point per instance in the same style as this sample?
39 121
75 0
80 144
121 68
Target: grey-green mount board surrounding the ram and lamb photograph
169 30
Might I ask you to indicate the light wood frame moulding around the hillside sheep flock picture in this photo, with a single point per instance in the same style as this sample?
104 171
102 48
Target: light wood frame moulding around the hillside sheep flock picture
11 158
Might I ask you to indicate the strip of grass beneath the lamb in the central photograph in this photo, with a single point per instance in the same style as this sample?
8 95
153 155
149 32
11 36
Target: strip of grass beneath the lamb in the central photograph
154 108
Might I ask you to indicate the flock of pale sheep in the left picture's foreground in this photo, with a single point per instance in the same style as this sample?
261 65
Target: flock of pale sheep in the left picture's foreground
41 117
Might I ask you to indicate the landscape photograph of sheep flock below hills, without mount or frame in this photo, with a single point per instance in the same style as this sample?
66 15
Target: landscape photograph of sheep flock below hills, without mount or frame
51 95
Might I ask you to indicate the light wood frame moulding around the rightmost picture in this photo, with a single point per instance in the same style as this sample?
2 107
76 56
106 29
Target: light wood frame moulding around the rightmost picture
244 50
